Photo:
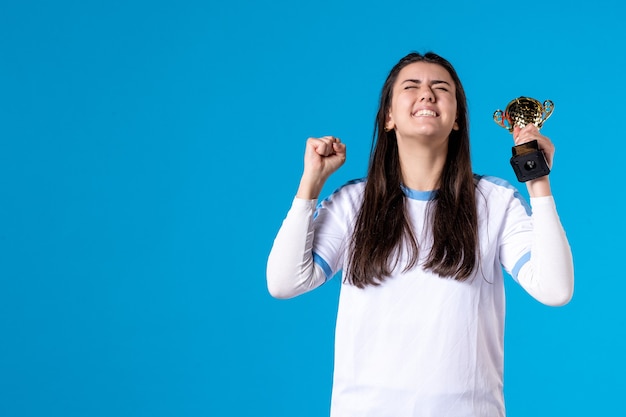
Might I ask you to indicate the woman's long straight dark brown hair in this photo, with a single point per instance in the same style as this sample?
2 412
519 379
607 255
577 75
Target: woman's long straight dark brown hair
382 228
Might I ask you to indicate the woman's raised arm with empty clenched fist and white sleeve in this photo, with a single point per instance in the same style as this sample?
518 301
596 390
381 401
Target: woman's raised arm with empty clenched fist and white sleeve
290 267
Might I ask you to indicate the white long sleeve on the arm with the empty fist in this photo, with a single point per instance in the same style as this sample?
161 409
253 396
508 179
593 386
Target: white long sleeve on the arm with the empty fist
290 267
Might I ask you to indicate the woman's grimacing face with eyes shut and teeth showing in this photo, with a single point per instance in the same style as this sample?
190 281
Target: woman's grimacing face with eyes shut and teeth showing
423 103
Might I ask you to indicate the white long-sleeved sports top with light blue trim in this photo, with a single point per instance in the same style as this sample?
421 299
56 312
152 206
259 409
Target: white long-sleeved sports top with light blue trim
419 344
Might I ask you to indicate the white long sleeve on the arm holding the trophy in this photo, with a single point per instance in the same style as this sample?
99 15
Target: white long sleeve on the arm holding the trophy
549 275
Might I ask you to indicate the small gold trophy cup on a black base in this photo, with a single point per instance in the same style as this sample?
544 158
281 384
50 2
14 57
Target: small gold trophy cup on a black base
528 160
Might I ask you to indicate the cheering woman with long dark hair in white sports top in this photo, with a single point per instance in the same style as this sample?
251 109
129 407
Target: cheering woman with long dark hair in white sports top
422 242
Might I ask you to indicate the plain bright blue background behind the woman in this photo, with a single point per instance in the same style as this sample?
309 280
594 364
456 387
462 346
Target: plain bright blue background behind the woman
150 150
